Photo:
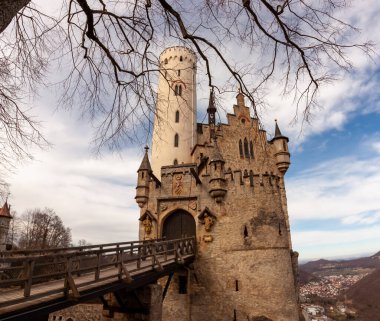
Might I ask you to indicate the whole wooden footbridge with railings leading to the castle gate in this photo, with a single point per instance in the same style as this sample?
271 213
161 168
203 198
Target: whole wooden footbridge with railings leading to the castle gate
38 282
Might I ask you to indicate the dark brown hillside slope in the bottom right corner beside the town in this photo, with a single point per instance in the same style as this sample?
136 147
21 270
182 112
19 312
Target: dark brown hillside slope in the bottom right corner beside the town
364 296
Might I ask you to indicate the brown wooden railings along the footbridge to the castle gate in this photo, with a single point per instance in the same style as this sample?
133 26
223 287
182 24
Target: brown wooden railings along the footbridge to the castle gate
30 269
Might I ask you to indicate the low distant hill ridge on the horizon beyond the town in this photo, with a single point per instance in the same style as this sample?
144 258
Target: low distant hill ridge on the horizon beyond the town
321 267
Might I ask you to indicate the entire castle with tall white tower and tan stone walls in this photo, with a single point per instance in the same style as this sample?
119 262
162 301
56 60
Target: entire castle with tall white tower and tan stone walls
223 184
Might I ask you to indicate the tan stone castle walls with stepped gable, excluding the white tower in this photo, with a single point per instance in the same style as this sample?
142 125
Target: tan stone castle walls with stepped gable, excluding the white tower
243 269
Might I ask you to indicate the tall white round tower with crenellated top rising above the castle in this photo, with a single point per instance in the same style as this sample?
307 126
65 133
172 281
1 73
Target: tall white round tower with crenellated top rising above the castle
174 133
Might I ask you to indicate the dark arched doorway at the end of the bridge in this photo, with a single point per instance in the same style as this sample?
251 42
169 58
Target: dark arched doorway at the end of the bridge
178 224
